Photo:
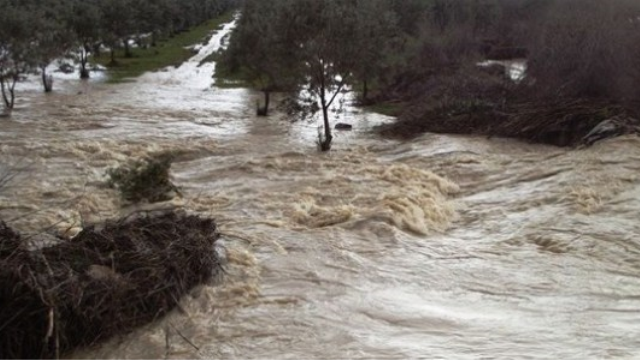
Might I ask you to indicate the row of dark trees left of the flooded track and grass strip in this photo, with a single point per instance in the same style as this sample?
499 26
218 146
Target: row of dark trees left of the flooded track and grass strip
35 32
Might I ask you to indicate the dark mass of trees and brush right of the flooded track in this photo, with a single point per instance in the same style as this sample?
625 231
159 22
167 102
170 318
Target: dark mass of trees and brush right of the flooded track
419 57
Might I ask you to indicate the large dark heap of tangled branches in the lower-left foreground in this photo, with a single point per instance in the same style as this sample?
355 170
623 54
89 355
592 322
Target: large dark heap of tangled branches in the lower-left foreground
108 280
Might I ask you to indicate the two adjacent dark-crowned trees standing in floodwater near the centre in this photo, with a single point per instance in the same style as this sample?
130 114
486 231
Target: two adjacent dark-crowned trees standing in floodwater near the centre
312 49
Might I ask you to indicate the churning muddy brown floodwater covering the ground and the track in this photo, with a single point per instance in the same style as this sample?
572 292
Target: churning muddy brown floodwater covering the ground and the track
444 247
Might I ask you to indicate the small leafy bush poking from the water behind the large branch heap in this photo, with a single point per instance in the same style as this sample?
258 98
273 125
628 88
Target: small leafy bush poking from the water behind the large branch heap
146 179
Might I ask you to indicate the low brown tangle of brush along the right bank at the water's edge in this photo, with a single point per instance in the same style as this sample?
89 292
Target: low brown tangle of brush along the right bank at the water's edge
556 122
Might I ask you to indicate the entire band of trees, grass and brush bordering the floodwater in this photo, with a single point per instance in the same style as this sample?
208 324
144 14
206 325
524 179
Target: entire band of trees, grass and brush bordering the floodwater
417 59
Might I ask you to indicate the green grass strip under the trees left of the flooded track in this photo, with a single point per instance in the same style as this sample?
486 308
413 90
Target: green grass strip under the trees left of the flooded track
170 52
